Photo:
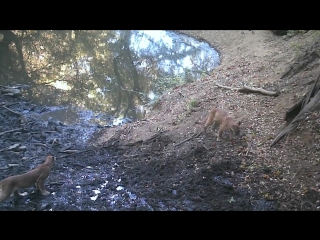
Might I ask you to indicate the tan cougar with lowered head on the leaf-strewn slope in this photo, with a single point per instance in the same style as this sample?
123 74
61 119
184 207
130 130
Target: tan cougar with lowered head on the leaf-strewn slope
222 117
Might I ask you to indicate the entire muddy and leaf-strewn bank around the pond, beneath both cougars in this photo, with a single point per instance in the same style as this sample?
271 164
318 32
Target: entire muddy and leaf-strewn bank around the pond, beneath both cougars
162 163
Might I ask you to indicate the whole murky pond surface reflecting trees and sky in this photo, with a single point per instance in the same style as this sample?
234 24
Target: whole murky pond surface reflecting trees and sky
97 69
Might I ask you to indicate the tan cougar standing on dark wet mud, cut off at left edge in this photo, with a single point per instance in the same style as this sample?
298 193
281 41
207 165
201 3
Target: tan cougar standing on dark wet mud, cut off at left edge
37 176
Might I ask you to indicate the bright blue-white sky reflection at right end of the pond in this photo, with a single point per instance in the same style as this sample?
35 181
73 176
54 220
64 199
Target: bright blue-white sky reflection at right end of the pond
165 61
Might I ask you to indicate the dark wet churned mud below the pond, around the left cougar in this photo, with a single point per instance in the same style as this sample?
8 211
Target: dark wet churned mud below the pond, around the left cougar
140 176
